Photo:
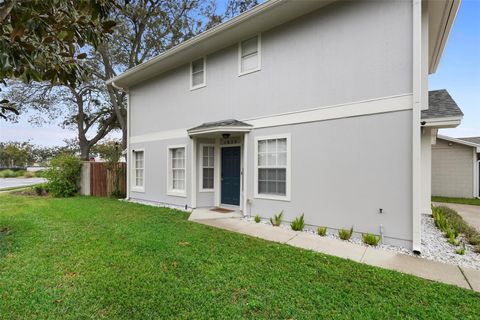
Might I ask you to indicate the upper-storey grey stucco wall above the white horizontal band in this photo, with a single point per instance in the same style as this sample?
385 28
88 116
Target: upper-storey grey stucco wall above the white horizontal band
348 51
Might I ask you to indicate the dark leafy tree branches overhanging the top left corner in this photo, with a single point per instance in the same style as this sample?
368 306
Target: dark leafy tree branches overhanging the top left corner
40 39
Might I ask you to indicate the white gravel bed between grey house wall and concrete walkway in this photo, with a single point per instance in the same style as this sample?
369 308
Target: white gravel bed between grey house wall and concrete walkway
434 245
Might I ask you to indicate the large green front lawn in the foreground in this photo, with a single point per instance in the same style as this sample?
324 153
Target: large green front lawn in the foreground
82 258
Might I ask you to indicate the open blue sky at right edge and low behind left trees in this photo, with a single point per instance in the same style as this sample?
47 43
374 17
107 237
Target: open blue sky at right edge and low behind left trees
458 72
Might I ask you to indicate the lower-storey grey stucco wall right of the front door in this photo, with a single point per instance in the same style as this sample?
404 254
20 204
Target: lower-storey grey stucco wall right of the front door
344 171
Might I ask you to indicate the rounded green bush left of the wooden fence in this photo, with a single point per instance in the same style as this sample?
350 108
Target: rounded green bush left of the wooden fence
63 175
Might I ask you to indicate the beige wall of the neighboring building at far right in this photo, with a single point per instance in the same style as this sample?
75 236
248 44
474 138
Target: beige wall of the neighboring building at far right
452 170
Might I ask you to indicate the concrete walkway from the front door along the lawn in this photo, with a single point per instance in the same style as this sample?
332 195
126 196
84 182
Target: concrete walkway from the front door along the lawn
432 270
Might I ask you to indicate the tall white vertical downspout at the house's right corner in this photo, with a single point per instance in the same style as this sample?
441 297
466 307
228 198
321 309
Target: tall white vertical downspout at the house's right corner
416 119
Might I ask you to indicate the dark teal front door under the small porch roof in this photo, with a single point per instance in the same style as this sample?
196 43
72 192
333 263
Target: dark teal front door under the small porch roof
231 175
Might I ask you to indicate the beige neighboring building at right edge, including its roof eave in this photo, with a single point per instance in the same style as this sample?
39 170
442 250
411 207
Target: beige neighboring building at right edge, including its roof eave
455 167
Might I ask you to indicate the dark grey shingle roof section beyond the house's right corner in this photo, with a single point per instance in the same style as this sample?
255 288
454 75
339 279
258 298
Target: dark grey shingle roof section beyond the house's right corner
441 105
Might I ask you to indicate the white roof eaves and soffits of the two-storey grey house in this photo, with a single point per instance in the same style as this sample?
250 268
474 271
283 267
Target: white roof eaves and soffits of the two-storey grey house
264 17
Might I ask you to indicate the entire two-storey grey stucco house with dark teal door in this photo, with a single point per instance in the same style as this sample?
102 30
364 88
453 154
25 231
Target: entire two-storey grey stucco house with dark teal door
303 106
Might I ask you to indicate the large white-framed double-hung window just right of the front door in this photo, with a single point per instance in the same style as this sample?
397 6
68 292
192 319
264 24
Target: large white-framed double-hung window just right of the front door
273 168
